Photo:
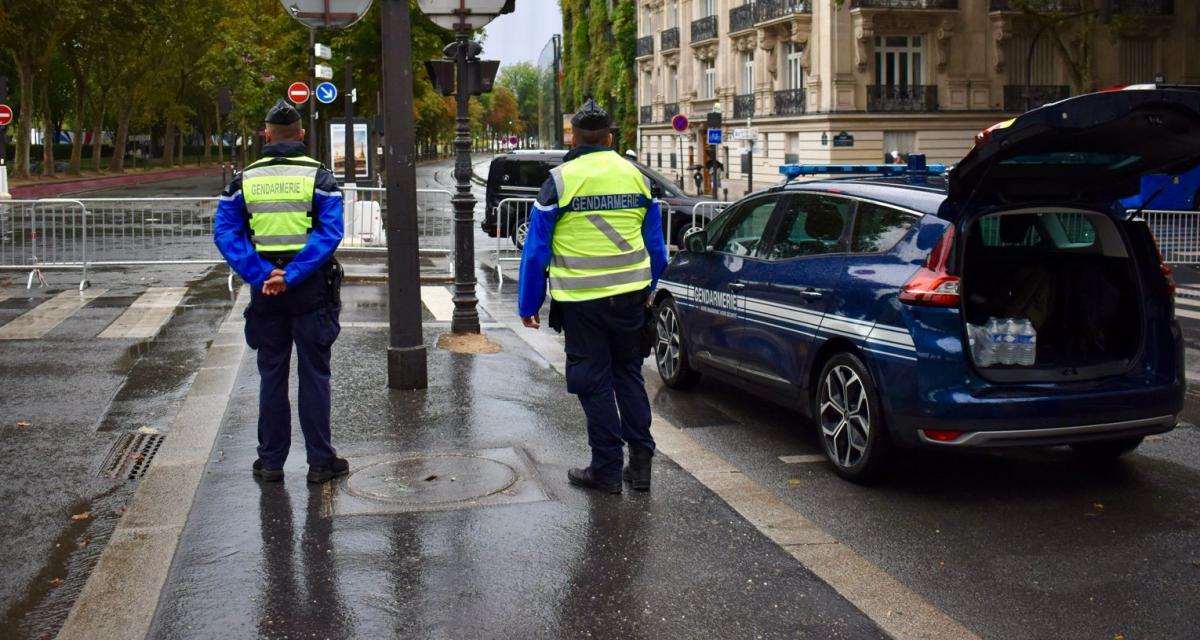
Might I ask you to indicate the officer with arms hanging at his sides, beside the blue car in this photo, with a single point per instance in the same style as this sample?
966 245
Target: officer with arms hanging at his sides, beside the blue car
598 235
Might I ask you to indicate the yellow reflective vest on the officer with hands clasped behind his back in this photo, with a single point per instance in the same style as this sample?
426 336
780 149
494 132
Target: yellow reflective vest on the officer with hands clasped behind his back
279 199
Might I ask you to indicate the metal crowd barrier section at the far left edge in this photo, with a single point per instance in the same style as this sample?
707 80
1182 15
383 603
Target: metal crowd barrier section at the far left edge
44 235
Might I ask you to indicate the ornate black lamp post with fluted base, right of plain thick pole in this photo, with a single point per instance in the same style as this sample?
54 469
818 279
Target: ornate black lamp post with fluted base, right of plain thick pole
472 77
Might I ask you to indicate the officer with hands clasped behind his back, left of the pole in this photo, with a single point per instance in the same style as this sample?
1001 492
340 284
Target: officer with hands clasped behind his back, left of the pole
278 226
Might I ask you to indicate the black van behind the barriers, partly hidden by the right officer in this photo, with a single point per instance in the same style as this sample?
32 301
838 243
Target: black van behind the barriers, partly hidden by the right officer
520 175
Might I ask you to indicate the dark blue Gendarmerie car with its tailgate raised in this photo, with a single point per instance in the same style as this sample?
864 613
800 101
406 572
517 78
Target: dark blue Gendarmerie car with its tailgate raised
879 306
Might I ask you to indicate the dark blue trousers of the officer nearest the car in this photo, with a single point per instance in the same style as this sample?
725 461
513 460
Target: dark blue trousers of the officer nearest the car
604 369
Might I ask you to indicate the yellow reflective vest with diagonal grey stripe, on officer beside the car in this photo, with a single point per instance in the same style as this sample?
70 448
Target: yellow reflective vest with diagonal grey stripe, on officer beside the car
598 249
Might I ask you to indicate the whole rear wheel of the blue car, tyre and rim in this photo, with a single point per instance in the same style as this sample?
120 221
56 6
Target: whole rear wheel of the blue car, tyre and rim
854 439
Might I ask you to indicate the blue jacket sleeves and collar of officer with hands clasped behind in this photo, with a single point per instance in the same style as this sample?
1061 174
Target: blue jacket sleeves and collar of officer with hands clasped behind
231 230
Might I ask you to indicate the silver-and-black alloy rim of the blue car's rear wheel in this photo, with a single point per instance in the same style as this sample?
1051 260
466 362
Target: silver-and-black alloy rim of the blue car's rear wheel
845 416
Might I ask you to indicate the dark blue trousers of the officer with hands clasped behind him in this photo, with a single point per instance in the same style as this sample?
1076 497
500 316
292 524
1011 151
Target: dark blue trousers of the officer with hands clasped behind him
308 318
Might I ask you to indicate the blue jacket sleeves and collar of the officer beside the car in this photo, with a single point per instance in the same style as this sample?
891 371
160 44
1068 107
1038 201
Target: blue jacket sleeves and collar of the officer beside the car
537 253
